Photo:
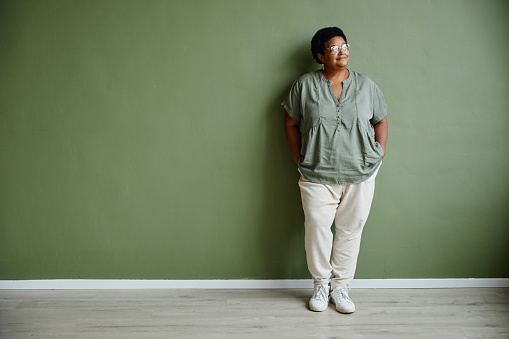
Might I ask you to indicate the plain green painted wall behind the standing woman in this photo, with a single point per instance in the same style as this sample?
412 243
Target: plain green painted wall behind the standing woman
144 139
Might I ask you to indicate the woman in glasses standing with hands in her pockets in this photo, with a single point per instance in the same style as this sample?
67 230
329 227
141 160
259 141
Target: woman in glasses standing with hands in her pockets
336 127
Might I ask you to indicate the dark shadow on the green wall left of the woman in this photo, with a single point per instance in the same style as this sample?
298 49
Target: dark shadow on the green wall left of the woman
282 220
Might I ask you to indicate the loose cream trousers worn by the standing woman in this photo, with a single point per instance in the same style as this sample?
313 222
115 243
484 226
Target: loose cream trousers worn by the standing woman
348 206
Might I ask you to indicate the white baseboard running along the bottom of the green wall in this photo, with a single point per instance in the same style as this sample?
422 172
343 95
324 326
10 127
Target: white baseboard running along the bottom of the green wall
99 284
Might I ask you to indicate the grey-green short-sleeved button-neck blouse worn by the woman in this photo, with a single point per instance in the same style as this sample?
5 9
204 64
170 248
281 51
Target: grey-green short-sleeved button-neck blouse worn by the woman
337 136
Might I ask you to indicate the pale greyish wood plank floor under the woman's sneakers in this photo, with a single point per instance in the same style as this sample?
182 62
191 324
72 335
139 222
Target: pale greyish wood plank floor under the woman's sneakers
281 313
